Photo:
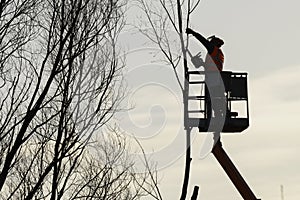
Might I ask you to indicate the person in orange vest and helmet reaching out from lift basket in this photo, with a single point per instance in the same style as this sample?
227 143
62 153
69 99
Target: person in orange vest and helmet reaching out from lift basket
214 92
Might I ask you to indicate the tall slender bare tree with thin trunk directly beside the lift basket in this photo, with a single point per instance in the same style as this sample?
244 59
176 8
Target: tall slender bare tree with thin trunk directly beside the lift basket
163 18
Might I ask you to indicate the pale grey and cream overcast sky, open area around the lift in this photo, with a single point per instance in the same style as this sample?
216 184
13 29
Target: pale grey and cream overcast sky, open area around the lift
261 38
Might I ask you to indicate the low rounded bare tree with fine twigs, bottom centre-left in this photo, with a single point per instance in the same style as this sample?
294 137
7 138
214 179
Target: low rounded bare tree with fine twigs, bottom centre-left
108 172
